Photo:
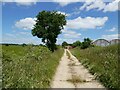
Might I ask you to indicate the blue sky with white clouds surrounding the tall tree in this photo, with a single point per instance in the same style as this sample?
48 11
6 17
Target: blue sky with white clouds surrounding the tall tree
94 20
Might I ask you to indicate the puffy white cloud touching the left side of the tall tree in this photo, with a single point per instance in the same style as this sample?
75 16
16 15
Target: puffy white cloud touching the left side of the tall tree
26 24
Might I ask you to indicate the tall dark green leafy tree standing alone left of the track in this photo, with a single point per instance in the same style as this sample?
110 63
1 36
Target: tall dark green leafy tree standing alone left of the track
48 26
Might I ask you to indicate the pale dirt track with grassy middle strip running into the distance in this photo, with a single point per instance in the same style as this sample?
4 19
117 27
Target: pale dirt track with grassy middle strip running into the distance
71 74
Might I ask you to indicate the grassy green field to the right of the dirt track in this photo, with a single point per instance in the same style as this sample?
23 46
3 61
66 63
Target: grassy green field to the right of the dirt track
102 62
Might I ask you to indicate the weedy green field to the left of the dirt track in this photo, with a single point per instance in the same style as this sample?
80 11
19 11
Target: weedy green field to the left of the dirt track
28 66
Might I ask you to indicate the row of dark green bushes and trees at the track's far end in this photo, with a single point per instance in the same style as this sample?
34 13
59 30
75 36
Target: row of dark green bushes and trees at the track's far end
83 45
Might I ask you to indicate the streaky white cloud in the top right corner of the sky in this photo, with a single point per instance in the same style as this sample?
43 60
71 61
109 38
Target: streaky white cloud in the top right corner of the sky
100 5
